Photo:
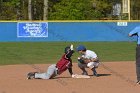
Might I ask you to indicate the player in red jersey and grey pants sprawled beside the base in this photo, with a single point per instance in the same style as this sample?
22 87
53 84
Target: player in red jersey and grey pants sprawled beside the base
56 69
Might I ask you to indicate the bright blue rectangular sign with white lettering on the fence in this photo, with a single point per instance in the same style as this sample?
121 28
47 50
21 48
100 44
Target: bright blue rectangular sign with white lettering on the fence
32 29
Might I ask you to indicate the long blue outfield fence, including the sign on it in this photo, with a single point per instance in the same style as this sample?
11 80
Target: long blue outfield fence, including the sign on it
66 31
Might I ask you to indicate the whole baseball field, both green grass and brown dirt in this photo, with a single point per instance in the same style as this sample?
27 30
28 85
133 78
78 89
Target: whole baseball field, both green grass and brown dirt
116 71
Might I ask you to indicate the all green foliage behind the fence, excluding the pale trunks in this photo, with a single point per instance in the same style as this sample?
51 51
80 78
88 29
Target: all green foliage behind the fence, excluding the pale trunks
63 9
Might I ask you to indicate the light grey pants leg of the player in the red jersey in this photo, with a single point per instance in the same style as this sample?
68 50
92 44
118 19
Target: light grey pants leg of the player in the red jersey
51 72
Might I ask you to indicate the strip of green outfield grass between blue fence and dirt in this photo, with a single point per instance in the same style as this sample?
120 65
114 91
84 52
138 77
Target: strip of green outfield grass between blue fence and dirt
50 52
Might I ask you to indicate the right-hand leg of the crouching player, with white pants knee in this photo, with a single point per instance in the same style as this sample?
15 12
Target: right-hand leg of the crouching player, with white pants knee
93 66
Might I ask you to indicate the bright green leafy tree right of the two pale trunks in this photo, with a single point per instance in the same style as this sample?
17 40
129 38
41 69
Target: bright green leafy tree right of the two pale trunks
79 10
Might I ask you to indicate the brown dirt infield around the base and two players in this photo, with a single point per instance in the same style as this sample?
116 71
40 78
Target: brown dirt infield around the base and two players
114 77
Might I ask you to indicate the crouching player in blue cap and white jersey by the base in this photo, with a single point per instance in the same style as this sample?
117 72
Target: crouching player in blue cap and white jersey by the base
88 59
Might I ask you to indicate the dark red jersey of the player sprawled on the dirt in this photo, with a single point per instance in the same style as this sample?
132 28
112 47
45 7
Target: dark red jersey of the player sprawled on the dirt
63 64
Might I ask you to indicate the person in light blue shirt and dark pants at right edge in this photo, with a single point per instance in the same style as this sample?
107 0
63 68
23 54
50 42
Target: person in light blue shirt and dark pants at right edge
136 32
